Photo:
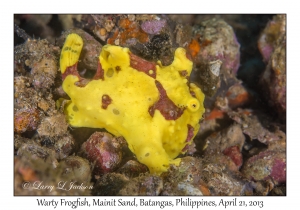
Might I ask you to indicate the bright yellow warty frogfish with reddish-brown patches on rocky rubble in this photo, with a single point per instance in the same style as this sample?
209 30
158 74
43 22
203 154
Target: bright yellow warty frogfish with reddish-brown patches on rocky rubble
154 107
